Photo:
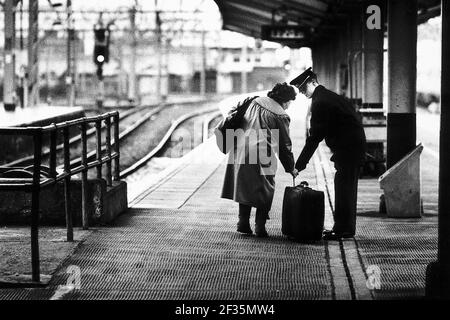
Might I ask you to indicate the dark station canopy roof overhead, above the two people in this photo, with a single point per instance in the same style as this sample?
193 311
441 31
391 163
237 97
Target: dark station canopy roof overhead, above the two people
300 22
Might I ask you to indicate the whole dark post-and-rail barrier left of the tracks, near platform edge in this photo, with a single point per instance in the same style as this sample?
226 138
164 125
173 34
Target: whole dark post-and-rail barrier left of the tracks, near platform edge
111 119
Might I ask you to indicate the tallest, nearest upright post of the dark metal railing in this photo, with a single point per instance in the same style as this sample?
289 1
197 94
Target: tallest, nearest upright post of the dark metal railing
35 268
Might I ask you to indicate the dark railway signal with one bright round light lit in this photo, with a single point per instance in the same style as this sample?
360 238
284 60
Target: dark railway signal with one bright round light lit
101 56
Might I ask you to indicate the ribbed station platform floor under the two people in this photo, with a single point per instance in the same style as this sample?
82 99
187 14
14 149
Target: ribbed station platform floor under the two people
178 240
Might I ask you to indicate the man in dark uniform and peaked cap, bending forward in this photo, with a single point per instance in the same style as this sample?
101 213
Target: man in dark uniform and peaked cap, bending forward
335 119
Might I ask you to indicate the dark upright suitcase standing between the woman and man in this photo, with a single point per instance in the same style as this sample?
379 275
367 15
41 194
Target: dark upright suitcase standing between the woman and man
303 213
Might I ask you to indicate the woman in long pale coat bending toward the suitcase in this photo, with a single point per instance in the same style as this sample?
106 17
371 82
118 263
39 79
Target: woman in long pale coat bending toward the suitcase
250 173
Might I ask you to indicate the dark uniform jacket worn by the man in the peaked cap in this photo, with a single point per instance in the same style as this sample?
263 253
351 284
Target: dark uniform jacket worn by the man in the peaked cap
334 119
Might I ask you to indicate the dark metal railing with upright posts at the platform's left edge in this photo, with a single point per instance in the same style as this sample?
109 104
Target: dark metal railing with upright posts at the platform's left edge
35 177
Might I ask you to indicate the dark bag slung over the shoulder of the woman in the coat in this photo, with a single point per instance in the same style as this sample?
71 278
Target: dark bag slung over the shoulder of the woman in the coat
232 122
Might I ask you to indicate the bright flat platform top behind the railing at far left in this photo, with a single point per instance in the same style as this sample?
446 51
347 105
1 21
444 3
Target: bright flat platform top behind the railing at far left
38 116
